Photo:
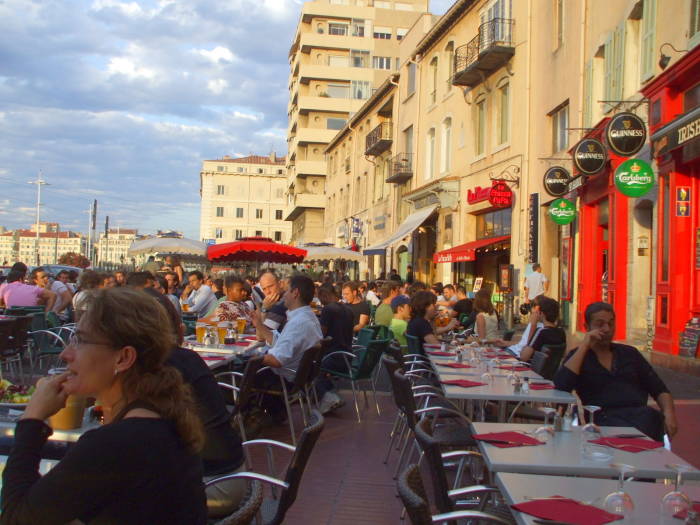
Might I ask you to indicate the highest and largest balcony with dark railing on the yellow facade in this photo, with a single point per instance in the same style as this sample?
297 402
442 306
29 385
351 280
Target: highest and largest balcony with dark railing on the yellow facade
487 52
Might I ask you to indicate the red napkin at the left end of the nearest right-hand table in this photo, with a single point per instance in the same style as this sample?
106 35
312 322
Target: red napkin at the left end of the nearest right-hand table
567 510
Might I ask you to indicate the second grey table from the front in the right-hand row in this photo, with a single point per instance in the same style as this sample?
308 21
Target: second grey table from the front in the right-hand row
561 456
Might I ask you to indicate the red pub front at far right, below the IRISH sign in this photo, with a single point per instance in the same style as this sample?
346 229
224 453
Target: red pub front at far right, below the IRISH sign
674 125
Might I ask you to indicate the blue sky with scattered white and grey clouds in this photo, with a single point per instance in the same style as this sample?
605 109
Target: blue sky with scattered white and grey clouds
120 101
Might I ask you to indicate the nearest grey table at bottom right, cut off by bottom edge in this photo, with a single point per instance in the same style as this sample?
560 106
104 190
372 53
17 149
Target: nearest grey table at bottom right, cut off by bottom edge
646 496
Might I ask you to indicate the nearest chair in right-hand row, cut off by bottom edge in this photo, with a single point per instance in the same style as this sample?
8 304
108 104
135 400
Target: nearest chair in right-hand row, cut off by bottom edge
413 495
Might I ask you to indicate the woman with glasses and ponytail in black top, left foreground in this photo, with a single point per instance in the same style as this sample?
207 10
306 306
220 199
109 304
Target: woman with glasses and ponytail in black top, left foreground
142 466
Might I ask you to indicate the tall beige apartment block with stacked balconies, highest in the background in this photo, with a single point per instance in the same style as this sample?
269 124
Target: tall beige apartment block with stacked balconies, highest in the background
342 51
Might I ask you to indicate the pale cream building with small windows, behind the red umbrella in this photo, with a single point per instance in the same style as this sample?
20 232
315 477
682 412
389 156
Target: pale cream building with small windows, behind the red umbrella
243 197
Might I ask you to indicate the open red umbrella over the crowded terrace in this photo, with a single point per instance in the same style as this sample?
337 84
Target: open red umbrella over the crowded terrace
260 249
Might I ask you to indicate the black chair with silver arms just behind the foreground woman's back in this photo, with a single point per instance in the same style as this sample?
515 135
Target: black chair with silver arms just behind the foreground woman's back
273 511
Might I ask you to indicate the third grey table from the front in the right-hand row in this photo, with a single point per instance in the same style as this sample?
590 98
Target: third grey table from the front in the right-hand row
501 390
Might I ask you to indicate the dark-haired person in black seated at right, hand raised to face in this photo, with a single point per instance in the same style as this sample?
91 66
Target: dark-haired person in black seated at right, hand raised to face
617 378
